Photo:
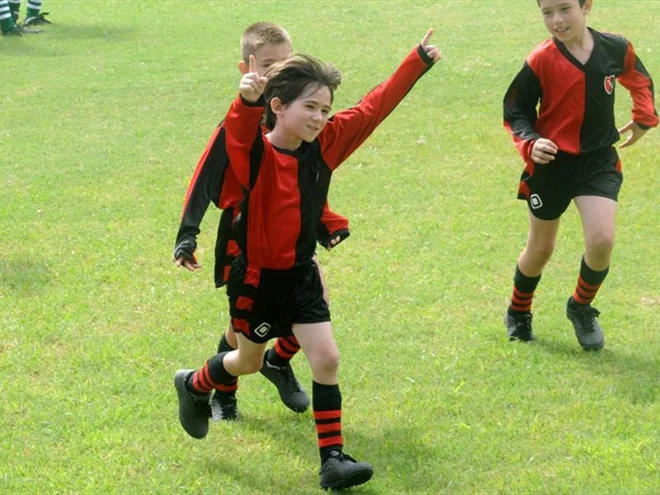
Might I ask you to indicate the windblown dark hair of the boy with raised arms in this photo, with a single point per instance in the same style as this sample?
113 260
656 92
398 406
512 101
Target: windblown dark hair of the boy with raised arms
296 77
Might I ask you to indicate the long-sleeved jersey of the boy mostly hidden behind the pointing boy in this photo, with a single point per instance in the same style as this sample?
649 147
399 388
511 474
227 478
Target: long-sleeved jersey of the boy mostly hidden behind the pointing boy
214 181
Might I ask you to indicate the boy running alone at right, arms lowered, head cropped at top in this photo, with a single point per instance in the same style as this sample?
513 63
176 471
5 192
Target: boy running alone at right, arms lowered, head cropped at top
567 146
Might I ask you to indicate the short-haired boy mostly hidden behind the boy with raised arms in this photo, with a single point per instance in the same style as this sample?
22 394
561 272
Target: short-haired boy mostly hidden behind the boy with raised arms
214 181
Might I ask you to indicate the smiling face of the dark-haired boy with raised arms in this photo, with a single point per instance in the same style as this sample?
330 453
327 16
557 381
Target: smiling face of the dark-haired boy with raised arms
305 117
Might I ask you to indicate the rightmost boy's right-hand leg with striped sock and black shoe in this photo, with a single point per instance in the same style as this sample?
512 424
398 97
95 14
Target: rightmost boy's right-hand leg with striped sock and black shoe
598 220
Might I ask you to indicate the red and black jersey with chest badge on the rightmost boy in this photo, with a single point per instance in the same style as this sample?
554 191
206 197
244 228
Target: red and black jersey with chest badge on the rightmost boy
577 100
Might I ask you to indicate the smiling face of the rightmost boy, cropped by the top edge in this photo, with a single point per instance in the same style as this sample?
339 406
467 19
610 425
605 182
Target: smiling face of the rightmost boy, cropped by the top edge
565 19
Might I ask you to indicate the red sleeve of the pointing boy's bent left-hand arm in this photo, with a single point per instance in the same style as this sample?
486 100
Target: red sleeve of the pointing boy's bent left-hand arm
242 123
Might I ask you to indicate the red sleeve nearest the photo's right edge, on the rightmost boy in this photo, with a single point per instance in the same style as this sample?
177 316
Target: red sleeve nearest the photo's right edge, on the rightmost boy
637 80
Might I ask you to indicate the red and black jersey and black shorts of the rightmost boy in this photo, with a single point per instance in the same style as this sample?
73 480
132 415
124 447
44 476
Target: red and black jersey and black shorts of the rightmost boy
576 112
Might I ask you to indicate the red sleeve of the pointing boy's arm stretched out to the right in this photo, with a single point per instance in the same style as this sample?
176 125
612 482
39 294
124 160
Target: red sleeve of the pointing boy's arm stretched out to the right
348 129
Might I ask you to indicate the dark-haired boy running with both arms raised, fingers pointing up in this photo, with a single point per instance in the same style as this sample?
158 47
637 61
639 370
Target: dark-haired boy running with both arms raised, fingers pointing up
274 285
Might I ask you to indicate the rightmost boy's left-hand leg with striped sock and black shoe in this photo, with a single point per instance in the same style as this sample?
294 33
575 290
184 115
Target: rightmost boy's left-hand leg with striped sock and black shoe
537 252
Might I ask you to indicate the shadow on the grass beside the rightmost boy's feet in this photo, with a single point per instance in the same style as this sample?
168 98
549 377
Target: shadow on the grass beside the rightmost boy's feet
634 376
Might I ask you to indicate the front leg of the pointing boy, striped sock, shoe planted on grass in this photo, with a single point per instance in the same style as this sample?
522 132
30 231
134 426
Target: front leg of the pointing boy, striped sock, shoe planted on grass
337 469
